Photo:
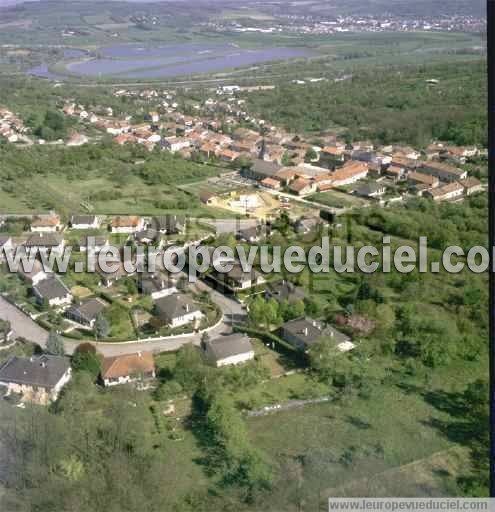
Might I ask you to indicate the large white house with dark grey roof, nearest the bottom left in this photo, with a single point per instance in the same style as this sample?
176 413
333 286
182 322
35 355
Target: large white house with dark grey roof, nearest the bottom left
38 379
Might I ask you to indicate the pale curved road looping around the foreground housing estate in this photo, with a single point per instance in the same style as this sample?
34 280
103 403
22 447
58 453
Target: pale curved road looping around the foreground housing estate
23 326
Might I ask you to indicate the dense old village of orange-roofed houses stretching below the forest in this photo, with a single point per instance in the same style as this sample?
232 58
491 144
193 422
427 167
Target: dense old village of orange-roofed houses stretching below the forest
281 160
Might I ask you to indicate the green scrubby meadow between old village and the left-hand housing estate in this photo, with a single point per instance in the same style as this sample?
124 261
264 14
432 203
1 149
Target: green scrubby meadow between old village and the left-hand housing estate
110 186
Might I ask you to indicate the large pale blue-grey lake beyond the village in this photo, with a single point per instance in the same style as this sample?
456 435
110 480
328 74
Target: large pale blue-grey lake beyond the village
138 61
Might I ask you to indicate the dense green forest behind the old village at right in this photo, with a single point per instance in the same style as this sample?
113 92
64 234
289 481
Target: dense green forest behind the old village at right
388 105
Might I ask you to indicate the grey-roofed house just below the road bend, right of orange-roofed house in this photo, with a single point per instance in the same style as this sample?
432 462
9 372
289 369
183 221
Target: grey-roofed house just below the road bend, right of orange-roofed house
230 349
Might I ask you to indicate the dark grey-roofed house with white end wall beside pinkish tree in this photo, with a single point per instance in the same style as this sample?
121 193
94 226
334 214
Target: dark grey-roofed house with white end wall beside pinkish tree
302 333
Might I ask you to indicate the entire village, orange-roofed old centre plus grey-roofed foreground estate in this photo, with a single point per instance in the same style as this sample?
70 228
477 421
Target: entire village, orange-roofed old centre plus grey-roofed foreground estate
266 172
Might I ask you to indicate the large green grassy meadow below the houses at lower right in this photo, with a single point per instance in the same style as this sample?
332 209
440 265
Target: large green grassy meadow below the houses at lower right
384 444
